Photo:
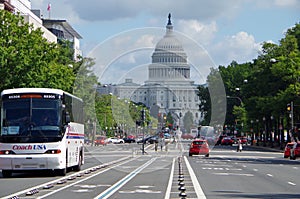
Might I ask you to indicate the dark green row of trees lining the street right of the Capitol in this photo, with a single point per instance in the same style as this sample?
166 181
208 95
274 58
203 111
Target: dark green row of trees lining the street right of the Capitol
264 86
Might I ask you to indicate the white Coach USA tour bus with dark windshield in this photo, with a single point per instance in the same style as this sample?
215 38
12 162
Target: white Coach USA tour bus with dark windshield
41 129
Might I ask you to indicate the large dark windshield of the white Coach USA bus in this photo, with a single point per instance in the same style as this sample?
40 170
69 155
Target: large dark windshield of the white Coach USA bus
31 120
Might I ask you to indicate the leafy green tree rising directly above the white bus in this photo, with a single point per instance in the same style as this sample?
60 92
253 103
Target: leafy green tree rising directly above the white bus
29 60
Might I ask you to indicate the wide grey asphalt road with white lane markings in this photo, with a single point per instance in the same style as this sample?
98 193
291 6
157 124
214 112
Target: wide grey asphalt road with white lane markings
122 171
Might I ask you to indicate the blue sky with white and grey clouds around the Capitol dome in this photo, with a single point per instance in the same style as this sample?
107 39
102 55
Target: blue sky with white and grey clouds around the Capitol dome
121 35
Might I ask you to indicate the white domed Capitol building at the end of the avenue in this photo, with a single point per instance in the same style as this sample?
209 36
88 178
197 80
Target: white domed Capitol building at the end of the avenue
169 88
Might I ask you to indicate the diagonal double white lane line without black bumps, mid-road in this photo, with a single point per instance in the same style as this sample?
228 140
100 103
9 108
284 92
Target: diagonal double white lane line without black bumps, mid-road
108 192
